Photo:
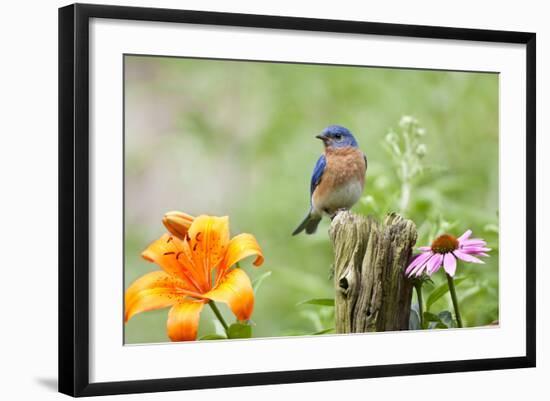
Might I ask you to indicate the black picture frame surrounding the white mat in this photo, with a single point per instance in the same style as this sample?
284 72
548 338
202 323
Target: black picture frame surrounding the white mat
74 194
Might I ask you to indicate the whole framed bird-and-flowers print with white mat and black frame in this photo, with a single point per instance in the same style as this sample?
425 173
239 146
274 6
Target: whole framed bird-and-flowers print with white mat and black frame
277 199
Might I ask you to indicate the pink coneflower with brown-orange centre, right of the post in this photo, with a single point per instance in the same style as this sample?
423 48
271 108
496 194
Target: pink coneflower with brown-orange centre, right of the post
444 251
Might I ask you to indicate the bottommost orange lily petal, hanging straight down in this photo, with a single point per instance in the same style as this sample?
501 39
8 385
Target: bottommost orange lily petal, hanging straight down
183 320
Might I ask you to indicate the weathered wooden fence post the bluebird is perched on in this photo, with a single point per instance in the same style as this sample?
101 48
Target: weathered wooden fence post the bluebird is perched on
372 292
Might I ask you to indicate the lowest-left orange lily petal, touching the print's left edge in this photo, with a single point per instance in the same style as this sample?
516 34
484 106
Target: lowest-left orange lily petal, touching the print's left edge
154 290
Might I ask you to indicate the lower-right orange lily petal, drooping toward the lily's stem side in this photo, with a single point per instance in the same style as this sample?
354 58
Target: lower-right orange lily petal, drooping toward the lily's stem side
236 291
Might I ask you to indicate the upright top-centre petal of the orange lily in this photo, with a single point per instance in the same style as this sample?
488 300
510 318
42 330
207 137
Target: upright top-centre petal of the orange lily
208 239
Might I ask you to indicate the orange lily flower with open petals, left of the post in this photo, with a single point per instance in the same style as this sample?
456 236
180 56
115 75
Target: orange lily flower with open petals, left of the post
196 261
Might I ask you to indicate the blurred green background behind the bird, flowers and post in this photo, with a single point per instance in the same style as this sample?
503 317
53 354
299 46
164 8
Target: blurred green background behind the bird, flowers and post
238 139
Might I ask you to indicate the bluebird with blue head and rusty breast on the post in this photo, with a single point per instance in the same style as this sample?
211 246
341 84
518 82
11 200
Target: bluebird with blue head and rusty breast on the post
338 178
